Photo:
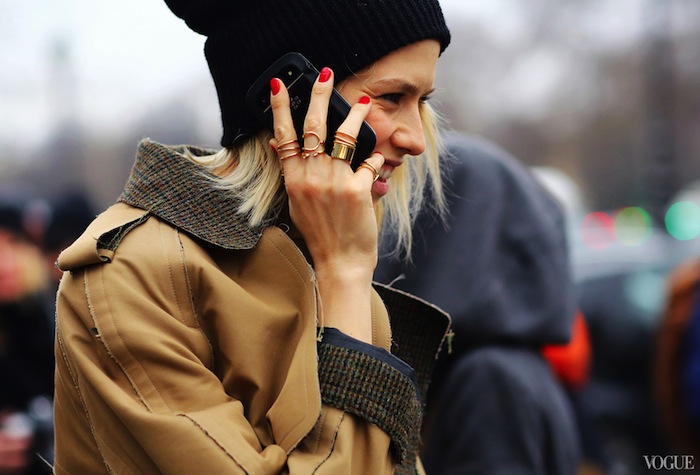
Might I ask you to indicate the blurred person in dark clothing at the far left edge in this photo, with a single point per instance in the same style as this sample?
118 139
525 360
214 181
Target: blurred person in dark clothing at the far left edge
26 349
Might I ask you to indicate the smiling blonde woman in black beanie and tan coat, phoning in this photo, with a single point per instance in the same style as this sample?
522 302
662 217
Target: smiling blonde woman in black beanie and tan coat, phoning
221 317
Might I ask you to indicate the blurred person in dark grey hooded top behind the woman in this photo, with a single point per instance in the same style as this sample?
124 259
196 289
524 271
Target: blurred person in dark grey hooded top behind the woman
499 266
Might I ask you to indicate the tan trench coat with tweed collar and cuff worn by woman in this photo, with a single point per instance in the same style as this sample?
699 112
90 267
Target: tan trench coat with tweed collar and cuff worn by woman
188 343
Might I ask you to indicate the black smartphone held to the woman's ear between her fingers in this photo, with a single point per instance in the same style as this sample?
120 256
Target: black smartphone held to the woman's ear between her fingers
299 75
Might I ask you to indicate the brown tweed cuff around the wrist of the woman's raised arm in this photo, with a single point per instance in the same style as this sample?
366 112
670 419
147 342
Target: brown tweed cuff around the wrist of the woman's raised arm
373 384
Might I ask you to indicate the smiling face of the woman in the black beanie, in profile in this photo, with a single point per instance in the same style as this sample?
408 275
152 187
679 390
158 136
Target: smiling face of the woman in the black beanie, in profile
398 85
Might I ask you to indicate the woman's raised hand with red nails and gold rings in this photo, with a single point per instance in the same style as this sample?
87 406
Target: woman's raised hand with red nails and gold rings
331 206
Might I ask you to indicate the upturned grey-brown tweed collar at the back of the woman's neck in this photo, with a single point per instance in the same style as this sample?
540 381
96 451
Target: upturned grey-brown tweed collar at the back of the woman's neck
177 190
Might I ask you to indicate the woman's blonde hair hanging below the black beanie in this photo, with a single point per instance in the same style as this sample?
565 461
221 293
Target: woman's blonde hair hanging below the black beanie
251 169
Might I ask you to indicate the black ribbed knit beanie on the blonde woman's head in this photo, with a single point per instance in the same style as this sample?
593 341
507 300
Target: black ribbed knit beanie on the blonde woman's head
245 37
